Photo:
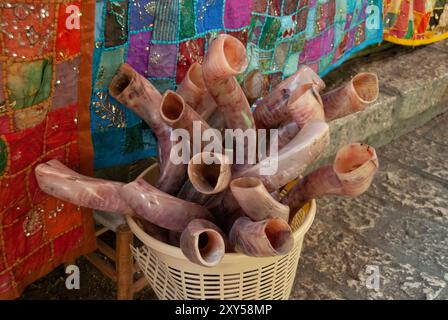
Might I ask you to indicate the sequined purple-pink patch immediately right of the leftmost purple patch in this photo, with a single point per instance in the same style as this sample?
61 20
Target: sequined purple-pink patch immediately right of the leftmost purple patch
162 60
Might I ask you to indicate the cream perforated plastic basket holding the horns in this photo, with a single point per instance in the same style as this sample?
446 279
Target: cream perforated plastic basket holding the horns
174 277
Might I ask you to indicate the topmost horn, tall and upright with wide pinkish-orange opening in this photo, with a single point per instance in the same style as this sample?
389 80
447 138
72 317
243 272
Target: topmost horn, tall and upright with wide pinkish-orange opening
226 58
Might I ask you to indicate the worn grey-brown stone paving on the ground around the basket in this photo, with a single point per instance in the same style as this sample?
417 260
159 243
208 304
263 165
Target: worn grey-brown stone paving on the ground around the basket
399 227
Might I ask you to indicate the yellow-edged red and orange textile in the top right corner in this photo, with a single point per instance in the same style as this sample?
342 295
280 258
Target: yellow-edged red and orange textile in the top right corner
415 22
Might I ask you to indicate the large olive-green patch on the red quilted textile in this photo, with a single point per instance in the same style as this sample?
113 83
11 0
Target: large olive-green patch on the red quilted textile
29 83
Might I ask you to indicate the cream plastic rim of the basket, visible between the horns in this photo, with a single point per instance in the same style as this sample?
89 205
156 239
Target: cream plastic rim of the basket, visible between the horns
176 252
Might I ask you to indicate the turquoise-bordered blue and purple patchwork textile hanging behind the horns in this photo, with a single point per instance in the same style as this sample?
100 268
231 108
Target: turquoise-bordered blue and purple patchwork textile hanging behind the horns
161 39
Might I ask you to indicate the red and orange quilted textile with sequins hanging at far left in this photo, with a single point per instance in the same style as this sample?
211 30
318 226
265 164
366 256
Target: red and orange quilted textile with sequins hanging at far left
41 115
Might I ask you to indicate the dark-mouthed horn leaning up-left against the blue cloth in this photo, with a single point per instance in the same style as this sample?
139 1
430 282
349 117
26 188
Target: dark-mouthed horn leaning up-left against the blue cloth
139 95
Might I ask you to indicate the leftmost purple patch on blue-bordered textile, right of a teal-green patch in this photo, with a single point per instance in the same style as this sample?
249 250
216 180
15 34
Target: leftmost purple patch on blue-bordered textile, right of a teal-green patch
138 52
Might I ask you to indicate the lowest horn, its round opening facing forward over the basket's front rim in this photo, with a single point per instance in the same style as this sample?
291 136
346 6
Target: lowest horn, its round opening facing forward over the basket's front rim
202 242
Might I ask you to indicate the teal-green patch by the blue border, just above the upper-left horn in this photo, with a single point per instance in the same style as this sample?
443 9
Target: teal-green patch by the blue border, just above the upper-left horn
111 60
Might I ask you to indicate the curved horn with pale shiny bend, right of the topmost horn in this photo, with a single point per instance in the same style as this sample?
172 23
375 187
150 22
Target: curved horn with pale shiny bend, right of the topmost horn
272 109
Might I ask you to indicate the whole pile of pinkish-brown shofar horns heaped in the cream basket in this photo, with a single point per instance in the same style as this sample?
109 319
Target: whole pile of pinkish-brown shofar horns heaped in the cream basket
210 209
